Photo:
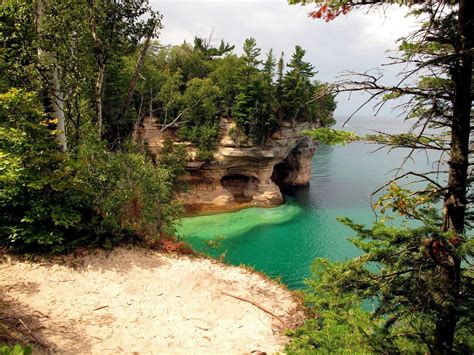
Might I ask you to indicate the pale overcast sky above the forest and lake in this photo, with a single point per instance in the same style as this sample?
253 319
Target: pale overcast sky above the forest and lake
356 42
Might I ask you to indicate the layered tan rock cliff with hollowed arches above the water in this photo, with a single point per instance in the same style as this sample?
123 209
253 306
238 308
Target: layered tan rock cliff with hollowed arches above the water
242 175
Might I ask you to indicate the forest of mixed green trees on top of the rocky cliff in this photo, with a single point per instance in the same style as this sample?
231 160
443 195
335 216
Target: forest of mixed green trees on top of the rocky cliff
194 85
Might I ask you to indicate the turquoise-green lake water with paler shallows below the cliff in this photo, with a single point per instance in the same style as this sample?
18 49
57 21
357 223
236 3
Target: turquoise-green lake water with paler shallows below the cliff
283 241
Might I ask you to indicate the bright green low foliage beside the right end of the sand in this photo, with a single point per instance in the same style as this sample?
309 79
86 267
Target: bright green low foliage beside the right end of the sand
337 324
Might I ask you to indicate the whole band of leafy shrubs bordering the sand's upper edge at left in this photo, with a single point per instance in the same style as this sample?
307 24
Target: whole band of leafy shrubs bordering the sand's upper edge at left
52 202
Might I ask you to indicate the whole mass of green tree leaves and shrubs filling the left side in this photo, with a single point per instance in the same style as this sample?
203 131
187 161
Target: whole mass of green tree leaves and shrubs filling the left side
52 201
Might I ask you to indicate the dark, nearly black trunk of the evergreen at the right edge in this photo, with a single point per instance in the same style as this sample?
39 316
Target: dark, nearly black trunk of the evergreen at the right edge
455 200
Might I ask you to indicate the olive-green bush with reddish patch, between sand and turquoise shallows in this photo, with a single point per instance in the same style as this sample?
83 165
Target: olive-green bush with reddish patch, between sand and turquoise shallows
128 192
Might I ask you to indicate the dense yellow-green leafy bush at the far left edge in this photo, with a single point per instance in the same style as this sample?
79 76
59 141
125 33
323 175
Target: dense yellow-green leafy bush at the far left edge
37 201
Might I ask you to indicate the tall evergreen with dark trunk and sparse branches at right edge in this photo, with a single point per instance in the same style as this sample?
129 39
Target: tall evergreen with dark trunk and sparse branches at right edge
424 284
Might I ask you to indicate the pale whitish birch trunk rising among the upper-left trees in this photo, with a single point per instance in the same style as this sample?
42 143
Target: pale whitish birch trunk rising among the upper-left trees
54 99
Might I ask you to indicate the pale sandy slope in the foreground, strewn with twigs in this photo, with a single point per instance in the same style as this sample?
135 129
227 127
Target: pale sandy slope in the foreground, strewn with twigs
133 300
